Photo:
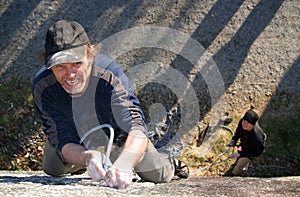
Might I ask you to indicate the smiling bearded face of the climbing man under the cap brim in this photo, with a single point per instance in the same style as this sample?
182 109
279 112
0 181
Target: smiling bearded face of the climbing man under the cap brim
73 77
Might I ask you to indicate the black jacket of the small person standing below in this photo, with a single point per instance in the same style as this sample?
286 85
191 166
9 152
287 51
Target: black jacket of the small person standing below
252 142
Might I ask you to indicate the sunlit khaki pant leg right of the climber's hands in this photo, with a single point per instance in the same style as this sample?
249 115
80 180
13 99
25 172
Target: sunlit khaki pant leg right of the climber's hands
155 167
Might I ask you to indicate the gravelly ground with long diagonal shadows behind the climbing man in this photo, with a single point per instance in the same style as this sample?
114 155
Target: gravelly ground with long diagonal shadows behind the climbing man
206 57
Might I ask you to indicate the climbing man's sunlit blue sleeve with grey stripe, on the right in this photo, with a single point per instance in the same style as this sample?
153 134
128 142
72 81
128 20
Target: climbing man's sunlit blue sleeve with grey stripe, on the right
120 99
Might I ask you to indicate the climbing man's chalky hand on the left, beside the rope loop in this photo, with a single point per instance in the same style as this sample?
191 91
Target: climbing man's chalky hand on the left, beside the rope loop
95 165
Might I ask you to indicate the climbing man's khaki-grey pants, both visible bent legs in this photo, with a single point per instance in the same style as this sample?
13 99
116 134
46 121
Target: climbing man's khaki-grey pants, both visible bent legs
154 167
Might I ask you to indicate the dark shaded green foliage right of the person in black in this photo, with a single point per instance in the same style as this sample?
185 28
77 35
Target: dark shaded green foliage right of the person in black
282 154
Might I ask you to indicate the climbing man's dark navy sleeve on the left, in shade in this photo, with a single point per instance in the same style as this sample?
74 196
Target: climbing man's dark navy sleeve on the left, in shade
50 104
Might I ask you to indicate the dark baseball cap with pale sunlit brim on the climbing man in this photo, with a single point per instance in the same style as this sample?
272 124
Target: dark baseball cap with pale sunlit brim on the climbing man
65 43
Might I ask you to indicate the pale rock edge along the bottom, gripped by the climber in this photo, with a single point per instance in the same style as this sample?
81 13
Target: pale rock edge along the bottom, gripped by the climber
39 184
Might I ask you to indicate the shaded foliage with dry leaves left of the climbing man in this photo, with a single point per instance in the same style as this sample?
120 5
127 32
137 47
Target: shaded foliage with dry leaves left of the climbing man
21 138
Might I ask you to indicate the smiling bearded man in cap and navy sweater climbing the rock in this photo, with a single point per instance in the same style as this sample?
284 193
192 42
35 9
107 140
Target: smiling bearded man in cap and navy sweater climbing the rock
79 89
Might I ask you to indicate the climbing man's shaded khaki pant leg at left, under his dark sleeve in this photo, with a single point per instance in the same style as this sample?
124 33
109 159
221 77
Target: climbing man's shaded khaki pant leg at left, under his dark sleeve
53 165
